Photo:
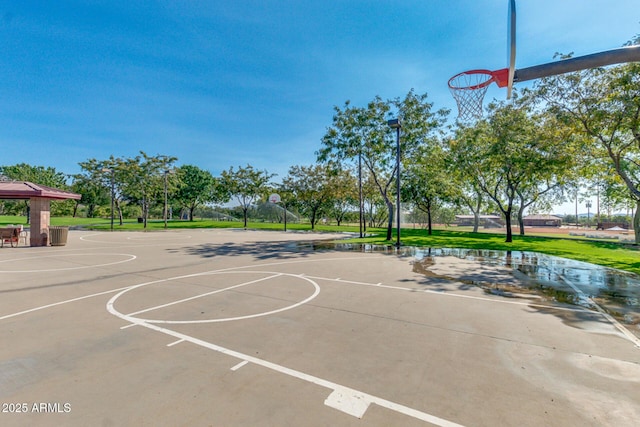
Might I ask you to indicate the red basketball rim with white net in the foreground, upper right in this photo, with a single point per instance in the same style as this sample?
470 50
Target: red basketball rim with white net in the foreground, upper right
468 89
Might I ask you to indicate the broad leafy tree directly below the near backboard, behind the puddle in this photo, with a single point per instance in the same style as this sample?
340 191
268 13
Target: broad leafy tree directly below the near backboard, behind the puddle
509 158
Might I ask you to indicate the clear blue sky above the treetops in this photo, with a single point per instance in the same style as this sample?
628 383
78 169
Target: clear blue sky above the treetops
229 83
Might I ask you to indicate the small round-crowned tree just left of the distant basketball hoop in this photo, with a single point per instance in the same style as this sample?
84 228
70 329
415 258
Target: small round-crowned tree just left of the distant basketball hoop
247 185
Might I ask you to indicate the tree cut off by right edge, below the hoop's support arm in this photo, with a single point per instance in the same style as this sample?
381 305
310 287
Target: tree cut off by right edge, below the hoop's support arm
603 104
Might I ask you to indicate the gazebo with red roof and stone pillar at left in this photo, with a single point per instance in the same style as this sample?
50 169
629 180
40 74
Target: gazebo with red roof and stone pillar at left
39 197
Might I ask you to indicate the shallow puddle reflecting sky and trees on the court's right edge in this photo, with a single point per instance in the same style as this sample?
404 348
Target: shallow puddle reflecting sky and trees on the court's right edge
557 280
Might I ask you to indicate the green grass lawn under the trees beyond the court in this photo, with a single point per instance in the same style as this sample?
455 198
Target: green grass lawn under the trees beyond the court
605 253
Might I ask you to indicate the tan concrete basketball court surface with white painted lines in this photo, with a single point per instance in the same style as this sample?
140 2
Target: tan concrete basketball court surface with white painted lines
248 328
